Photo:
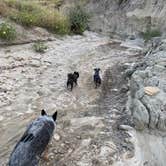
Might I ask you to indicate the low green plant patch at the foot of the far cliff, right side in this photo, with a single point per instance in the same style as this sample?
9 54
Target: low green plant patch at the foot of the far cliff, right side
150 34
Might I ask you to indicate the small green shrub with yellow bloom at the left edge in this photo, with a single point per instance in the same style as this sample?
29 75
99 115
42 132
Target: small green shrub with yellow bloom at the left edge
7 32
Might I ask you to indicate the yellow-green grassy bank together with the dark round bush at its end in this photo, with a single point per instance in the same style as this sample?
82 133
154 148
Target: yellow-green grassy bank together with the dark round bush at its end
45 14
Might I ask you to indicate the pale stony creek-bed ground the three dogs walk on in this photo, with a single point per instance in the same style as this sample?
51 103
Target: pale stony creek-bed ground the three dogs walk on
87 131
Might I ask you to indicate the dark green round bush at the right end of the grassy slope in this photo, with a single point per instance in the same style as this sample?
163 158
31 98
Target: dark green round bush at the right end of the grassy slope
78 19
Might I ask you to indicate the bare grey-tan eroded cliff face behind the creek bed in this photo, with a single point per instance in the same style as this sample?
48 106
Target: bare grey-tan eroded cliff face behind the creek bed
127 17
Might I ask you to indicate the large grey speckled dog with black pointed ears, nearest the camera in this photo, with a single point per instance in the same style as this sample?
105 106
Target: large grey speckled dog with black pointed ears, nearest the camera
29 149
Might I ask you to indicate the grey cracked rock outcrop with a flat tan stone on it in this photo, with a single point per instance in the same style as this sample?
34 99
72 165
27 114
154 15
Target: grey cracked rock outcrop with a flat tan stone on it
148 109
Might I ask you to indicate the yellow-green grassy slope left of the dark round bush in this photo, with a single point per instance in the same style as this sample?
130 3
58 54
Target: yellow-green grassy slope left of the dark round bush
31 13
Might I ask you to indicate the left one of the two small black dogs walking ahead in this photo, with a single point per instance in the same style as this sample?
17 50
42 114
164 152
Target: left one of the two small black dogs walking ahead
72 79
